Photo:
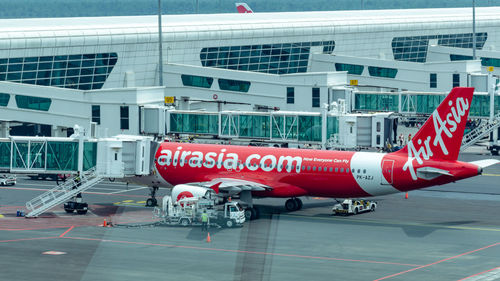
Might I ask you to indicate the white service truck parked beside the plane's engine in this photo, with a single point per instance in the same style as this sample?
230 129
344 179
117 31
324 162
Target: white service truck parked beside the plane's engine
187 211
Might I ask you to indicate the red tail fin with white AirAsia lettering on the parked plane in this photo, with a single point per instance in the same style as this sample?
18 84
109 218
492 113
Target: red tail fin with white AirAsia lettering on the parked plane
441 135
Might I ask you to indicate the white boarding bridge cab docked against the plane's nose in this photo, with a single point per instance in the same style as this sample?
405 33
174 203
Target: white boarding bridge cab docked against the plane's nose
124 156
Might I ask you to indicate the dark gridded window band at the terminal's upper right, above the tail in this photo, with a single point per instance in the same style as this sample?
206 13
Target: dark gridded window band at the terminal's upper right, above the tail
414 48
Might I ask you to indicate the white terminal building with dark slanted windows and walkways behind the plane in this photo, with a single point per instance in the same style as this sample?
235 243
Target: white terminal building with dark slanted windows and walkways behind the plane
103 73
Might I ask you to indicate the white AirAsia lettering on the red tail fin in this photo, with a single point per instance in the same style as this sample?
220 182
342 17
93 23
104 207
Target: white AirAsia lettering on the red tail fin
447 126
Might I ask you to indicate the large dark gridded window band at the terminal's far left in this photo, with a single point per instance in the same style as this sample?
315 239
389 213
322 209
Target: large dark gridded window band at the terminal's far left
83 71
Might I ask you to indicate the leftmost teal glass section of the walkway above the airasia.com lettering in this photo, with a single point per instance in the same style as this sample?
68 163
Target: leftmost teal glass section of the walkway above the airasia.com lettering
194 123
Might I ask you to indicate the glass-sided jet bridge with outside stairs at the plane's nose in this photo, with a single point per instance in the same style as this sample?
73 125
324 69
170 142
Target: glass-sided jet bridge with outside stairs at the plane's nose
95 159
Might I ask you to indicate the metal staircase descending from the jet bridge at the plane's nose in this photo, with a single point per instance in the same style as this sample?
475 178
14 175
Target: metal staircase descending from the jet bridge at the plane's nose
62 193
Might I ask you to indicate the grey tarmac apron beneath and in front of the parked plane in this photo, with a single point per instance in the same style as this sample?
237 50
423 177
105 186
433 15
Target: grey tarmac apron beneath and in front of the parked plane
449 232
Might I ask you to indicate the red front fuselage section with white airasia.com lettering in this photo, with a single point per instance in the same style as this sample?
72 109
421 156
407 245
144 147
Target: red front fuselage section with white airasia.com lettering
320 173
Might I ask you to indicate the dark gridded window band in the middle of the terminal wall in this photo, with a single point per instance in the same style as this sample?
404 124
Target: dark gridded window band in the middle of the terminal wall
280 58
